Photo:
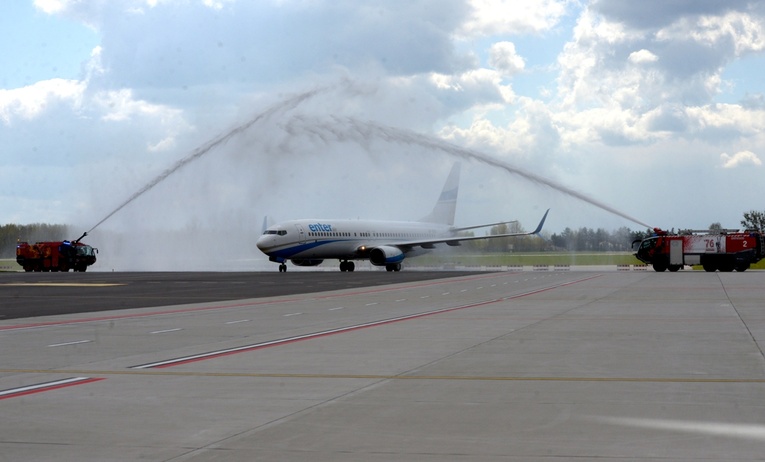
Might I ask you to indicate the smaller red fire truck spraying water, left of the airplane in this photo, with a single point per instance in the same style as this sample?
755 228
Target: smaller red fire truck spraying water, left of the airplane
55 255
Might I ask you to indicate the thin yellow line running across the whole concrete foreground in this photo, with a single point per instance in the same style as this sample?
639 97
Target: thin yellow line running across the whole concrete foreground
156 372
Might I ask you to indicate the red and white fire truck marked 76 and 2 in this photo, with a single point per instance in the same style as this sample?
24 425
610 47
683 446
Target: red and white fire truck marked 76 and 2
723 250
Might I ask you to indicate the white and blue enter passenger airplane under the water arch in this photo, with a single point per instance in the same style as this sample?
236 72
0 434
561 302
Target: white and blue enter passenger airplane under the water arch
308 242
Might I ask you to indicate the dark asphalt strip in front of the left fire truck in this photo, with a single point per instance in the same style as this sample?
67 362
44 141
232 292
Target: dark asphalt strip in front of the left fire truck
24 295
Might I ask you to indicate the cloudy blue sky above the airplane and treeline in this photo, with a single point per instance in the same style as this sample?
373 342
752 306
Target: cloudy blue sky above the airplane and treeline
352 108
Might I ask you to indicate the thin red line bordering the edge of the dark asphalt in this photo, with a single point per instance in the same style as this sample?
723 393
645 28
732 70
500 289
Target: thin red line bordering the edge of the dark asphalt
227 306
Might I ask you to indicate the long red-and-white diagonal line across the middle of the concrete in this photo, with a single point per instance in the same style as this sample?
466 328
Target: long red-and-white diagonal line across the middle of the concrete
341 330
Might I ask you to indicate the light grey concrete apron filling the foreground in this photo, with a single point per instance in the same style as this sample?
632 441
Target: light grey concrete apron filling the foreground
485 366
